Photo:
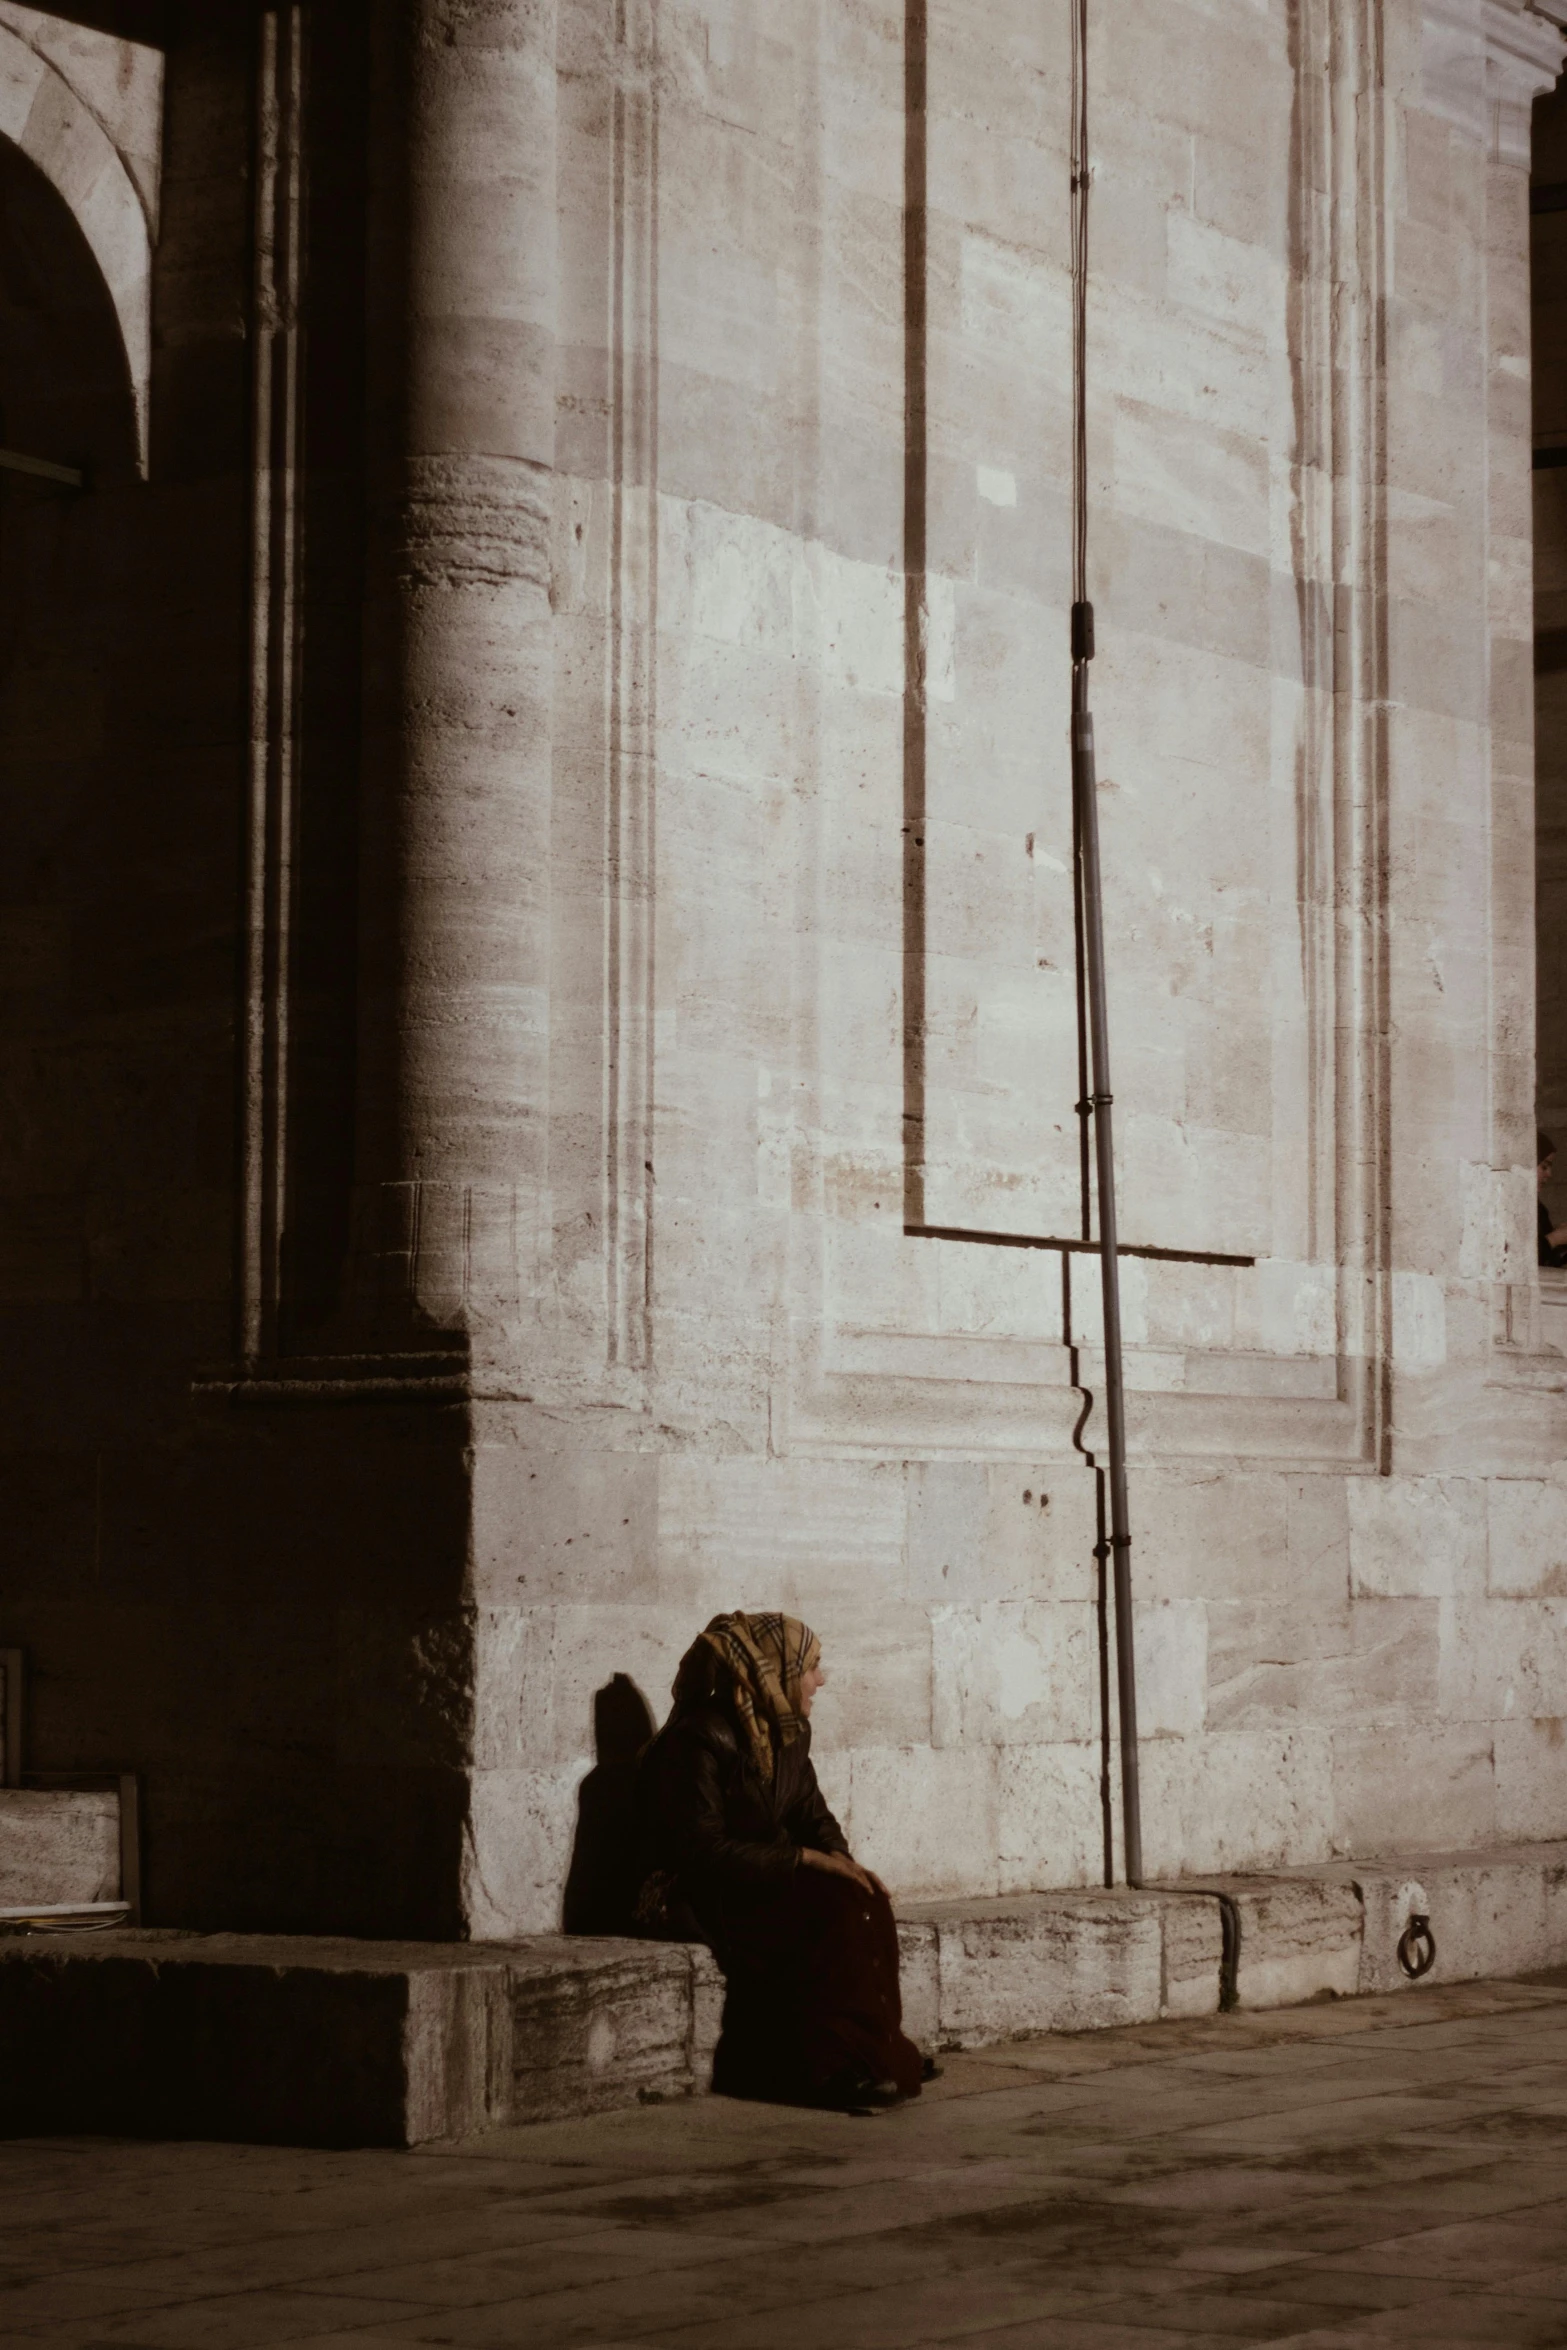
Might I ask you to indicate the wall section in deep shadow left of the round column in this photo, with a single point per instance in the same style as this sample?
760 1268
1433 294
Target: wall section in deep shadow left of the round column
260 1611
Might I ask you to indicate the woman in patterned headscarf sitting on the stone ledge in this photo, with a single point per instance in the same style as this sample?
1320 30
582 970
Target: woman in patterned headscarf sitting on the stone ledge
744 1853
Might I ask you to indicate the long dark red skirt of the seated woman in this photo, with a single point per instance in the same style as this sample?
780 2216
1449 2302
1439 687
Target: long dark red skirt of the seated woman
812 1994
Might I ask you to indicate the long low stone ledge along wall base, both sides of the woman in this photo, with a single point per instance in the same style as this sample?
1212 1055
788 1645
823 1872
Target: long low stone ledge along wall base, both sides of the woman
361 2043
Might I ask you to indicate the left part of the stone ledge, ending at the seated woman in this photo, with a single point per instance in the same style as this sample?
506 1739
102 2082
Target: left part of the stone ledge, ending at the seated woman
311 2041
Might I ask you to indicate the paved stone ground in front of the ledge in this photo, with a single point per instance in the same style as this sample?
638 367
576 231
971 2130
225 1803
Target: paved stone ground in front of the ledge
1364 2173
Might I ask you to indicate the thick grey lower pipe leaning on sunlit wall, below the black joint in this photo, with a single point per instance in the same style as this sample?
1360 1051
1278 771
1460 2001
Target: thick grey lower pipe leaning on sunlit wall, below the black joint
1110 1265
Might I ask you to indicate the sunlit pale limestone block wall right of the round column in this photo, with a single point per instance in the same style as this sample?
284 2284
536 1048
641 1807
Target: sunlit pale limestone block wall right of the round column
812 582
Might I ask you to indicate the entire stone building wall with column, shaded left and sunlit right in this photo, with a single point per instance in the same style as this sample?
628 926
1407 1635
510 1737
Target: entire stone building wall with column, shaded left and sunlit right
628 887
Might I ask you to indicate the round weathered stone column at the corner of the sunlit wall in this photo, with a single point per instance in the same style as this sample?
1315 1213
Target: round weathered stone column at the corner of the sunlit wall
457 756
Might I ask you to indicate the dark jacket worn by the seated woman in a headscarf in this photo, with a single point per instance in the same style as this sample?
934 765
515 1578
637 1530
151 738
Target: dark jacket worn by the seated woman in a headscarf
713 1825
